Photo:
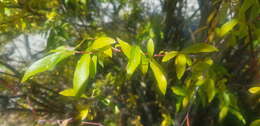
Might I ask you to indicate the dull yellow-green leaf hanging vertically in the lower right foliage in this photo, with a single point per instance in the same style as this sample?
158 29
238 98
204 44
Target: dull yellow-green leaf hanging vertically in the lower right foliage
210 89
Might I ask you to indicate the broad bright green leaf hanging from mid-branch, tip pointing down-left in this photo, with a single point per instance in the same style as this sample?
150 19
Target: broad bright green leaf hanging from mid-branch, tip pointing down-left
134 61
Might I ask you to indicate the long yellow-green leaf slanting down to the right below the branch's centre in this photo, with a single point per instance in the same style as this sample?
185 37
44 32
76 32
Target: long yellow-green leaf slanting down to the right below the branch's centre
159 76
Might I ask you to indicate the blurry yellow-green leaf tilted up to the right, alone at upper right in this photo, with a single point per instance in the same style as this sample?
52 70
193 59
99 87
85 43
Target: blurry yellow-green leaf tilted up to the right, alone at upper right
227 27
